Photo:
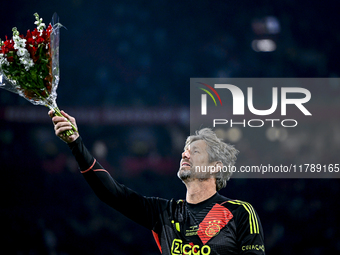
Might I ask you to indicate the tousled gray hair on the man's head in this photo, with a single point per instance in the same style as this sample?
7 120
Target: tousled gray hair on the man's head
217 151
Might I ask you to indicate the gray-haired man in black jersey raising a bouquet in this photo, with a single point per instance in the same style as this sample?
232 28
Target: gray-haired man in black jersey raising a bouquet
205 223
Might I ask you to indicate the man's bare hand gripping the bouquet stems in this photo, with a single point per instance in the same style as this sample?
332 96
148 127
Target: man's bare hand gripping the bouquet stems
61 124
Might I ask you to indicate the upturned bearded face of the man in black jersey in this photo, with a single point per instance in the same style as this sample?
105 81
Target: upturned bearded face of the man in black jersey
195 161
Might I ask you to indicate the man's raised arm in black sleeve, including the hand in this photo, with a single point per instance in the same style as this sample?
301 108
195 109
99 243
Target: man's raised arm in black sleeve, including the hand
142 210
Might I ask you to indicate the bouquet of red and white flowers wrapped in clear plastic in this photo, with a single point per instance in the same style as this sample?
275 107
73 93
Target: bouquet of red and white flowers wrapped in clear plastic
29 65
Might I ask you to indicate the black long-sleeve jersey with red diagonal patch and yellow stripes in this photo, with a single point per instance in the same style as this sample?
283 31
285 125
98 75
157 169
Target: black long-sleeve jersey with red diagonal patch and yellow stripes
218 225
